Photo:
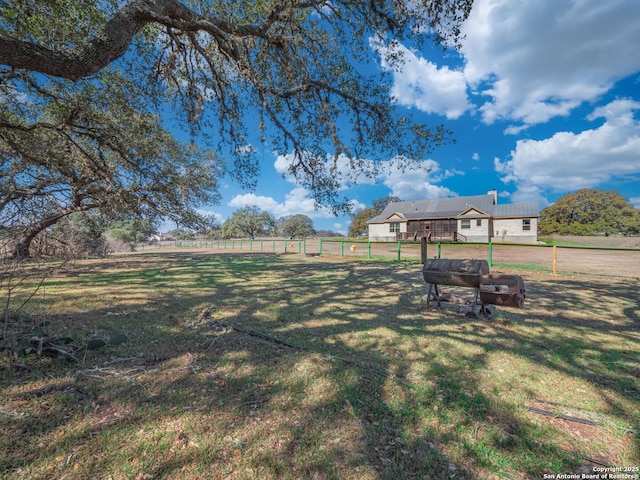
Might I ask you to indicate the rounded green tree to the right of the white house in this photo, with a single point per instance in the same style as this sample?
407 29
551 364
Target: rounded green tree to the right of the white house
590 212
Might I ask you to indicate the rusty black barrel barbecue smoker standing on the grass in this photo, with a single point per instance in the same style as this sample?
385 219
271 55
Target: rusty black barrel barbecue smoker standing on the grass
488 289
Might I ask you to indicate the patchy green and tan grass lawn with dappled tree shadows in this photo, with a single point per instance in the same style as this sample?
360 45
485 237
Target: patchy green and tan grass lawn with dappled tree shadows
255 366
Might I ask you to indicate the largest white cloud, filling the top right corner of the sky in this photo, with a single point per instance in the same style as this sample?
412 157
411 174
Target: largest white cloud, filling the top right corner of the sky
540 59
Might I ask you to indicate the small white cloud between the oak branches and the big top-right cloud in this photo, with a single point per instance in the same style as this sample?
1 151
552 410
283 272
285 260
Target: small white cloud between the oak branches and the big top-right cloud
422 84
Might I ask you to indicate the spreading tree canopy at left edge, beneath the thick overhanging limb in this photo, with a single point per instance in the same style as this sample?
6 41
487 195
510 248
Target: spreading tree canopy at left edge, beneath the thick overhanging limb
75 148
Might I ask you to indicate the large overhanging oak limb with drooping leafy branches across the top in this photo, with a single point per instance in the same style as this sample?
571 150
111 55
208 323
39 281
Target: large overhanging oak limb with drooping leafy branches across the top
291 70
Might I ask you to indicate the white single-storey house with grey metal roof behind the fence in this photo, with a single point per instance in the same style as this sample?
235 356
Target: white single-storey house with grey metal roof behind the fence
476 218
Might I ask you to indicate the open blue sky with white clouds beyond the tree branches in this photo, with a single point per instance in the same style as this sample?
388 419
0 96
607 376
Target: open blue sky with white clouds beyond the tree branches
543 99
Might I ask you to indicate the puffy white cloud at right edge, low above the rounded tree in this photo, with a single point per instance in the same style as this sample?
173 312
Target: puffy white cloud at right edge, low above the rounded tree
568 161
